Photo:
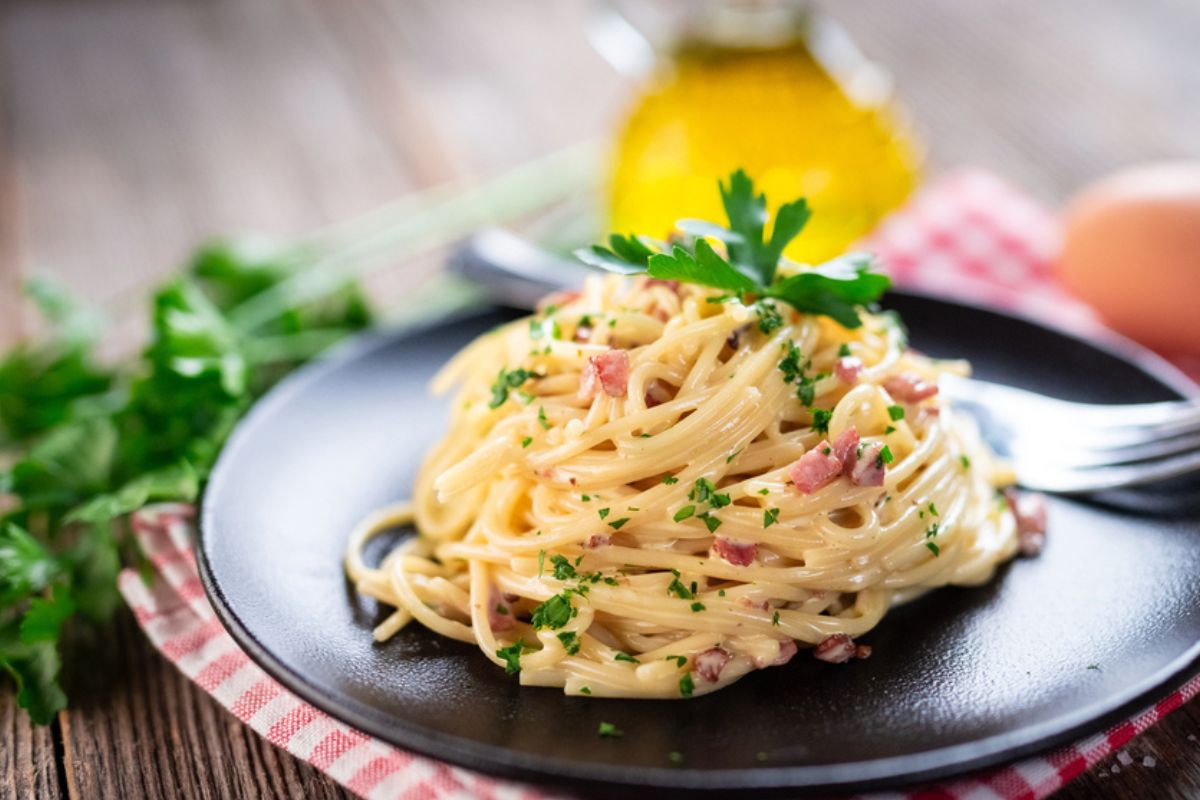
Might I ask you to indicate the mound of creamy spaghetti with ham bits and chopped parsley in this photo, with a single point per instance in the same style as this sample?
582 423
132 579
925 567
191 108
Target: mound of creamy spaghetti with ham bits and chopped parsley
647 494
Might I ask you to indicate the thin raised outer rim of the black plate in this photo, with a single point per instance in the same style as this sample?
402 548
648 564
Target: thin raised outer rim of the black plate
892 772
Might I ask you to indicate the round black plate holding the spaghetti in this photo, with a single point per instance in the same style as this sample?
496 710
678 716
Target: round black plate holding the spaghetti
1053 648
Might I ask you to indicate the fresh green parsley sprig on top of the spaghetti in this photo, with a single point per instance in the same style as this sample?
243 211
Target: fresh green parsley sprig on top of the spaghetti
836 290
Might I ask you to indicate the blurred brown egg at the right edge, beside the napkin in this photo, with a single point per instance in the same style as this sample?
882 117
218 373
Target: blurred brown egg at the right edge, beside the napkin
1132 250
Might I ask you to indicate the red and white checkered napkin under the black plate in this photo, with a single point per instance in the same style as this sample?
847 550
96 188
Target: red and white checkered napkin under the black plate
968 236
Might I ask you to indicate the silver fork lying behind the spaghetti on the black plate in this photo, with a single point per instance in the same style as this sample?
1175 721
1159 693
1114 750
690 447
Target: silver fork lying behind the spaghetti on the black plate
1054 446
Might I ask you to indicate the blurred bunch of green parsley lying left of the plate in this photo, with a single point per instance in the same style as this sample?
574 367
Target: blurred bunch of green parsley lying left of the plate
86 444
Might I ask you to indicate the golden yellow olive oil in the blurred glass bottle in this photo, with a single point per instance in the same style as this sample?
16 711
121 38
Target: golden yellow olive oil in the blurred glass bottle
778 113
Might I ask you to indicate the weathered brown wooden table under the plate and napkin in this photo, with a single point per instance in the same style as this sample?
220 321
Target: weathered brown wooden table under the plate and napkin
131 130
